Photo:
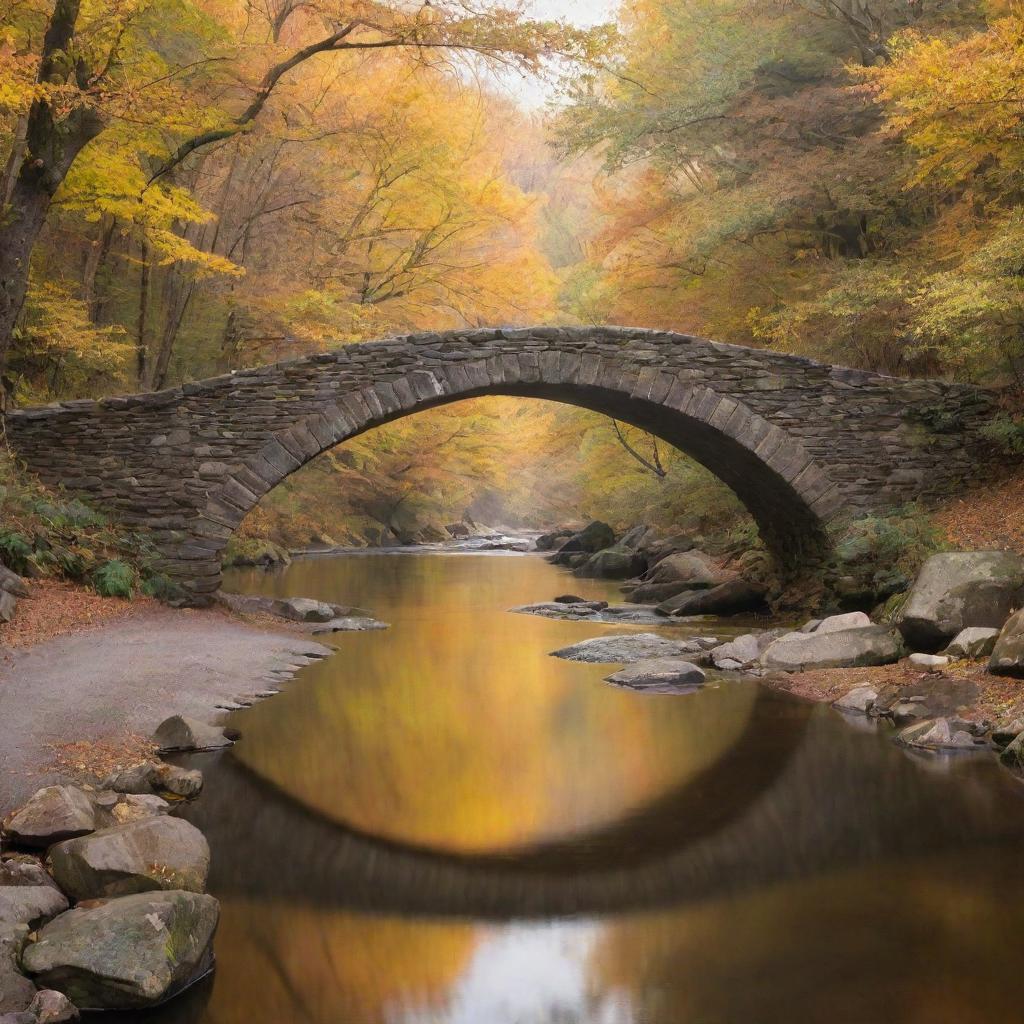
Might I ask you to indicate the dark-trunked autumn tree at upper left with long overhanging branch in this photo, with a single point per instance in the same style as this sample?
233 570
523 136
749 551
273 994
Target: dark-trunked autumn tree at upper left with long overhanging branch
103 66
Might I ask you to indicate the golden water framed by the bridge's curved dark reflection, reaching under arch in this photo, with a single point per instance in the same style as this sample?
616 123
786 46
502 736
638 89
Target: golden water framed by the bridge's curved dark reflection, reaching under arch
456 731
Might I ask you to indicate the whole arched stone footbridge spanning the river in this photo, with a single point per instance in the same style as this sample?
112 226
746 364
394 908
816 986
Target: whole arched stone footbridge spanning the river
800 443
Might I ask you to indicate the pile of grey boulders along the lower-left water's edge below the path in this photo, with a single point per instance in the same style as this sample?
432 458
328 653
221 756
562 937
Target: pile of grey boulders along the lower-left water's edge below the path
143 929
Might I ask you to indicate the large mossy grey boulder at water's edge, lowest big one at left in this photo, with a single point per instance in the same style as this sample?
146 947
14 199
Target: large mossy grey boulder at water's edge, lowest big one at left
126 954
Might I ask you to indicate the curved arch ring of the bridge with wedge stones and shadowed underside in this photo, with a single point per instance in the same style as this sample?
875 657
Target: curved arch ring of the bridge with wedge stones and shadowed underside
790 495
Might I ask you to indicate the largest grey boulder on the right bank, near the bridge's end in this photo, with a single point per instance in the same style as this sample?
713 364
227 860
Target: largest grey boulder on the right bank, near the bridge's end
956 590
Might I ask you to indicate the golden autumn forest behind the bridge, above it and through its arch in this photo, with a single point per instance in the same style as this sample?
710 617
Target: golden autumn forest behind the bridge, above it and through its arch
195 187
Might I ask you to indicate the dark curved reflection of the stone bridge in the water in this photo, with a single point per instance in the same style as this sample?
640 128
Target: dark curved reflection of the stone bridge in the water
794 798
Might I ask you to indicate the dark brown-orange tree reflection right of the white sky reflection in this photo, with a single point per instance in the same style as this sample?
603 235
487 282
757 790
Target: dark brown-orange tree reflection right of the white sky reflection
919 943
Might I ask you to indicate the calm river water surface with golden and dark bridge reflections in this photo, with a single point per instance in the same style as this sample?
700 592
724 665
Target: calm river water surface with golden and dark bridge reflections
442 825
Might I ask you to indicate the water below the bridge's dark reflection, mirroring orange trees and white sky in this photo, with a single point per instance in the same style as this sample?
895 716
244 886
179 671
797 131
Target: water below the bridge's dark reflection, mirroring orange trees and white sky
916 946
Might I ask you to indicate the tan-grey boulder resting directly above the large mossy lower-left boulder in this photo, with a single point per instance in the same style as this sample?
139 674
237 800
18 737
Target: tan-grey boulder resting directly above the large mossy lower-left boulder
156 854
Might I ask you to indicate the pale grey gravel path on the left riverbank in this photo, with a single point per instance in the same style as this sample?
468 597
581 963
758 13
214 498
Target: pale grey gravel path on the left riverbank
126 677
